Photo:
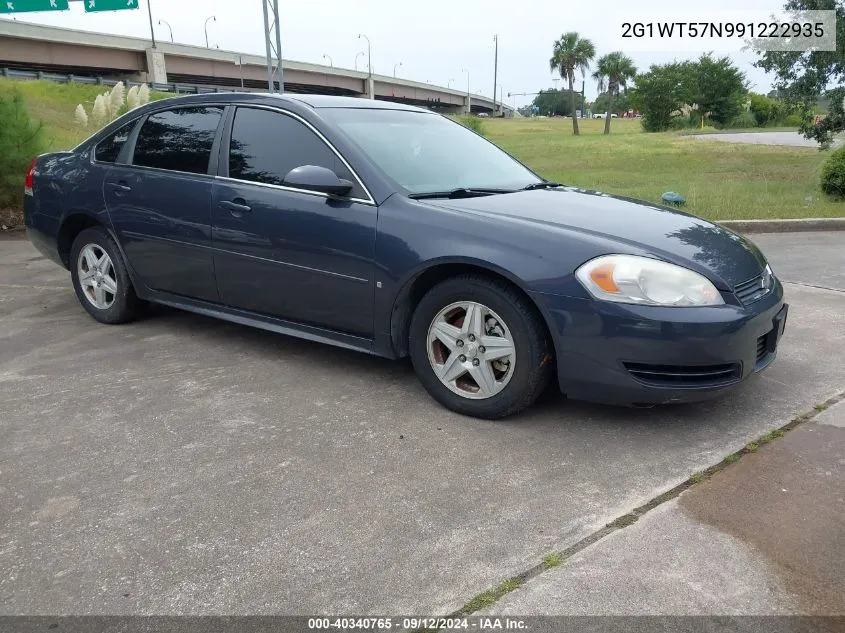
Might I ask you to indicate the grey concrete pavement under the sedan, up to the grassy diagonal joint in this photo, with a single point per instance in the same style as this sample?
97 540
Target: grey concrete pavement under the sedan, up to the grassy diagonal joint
185 465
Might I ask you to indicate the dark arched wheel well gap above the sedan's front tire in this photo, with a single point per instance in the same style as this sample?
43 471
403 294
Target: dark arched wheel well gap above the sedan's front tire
415 290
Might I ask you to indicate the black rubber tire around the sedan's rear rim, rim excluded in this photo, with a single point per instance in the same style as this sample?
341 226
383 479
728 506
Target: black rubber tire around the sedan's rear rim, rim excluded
125 305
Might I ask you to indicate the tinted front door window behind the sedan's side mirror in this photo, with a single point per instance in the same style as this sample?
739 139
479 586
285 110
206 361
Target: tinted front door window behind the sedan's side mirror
266 145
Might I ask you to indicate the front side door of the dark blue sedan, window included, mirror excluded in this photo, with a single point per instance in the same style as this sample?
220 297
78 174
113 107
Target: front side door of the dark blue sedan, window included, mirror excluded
295 254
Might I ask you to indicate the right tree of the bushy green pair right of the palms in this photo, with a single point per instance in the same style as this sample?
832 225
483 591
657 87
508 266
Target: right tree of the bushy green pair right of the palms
719 89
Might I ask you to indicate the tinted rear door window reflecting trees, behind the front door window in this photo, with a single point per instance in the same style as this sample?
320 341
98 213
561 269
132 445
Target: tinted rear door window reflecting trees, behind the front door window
179 140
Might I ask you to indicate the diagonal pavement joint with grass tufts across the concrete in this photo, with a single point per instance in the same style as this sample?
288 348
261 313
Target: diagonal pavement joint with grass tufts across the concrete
555 559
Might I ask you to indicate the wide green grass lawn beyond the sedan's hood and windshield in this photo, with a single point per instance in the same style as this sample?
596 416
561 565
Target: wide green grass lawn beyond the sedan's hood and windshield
721 181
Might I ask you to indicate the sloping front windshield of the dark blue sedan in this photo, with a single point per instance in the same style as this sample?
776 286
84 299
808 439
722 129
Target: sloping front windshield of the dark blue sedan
425 152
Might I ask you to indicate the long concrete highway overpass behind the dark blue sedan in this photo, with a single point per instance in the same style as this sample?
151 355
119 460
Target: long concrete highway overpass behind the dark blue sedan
25 46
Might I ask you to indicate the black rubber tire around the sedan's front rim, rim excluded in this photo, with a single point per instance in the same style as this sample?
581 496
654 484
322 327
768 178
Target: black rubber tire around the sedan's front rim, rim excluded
533 366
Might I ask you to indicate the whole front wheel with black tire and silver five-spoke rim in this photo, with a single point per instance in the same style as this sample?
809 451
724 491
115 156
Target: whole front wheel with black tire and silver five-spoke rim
479 347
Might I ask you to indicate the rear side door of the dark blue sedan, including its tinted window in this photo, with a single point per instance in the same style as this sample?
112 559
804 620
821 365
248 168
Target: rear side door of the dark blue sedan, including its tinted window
160 203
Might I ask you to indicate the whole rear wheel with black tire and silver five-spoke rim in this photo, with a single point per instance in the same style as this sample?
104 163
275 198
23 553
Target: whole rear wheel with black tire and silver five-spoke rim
100 278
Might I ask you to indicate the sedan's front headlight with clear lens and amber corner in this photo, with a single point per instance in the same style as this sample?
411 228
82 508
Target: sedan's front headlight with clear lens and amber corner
646 281
